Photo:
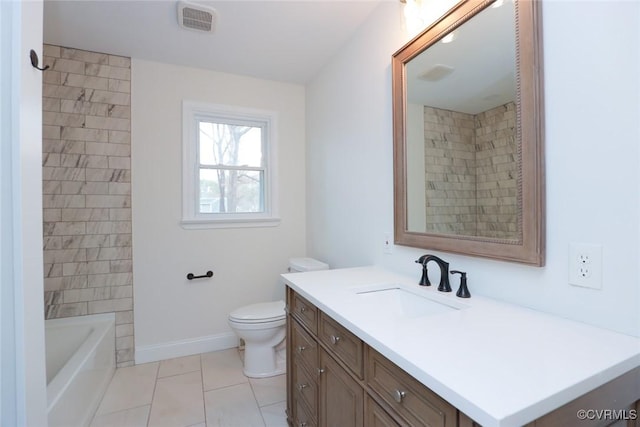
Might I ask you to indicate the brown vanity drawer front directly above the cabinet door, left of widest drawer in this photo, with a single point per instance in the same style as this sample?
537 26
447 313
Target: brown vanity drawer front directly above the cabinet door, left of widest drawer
346 346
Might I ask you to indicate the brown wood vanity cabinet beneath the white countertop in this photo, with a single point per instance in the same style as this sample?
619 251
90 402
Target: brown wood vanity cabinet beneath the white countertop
334 379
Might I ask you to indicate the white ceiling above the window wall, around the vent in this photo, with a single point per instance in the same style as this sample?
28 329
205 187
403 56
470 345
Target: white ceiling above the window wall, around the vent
286 41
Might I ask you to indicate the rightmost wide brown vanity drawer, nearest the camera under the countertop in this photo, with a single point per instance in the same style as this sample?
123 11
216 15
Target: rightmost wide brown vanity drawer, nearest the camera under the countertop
414 402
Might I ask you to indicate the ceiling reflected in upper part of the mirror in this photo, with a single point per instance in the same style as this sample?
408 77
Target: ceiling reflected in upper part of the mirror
481 60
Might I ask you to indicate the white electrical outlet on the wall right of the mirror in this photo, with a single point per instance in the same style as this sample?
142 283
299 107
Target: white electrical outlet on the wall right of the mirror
585 265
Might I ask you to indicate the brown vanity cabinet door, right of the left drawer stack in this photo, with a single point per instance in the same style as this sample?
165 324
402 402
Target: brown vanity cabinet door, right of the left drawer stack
341 397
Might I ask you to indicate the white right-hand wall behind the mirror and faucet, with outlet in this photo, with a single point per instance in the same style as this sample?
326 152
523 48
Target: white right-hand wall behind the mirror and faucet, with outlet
592 110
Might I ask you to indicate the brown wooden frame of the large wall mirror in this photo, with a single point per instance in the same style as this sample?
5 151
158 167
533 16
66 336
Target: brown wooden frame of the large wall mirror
529 248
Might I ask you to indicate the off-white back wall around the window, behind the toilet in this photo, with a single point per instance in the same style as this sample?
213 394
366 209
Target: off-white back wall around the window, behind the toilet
174 316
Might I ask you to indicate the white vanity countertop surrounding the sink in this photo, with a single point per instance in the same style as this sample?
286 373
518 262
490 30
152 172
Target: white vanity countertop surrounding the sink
500 364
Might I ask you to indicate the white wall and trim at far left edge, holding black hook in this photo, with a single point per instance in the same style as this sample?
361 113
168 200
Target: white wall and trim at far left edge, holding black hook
22 369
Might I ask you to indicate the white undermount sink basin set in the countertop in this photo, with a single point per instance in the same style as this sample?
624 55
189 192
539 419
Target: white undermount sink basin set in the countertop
402 302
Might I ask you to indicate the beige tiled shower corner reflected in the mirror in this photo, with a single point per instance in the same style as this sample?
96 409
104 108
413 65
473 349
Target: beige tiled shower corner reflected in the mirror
471 172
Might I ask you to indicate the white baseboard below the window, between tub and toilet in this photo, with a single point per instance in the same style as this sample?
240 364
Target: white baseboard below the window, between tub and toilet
187 347
